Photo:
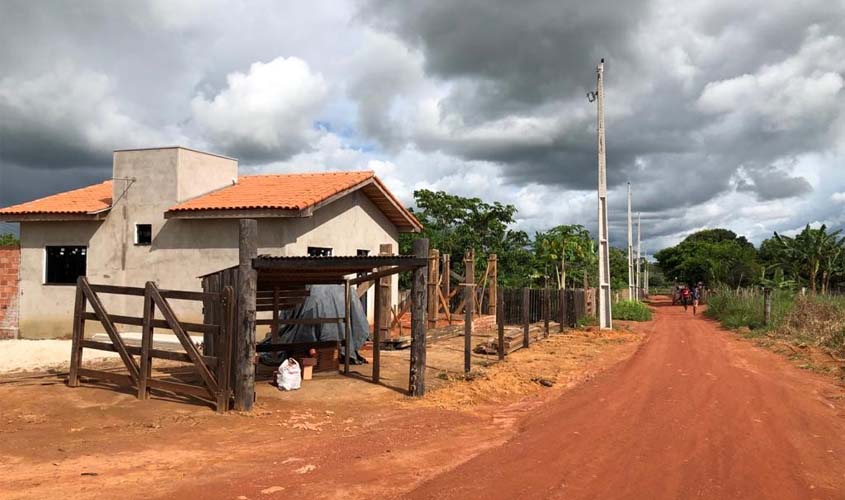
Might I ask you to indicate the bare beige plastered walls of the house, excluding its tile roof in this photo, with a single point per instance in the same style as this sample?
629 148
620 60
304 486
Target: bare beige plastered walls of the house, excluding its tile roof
181 250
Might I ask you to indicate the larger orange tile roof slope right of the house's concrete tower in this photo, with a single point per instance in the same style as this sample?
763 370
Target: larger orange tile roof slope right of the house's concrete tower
285 191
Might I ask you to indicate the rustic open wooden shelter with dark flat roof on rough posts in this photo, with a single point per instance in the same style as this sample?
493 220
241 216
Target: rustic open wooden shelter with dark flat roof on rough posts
268 283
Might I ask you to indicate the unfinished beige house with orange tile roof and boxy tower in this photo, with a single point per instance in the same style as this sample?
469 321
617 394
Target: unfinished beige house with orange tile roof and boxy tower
171 214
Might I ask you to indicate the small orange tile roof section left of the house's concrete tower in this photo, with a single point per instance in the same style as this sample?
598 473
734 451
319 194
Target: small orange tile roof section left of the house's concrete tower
87 200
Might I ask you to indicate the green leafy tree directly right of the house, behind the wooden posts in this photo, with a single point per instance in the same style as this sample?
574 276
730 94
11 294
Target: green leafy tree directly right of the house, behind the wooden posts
454 224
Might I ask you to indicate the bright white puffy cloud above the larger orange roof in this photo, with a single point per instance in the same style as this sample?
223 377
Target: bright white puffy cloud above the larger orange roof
267 112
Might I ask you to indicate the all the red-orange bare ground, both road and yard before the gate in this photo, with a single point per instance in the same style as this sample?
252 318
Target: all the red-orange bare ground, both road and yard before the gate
693 413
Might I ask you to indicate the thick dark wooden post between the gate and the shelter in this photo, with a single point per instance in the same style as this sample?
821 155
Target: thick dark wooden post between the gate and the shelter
245 343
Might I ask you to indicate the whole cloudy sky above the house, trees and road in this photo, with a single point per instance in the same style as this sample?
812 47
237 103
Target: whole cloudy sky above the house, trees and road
720 113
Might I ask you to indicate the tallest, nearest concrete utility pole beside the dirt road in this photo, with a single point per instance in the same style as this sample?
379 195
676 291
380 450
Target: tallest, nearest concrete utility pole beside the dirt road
604 302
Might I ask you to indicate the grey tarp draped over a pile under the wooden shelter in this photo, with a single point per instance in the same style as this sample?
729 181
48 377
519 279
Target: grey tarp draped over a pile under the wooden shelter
324 301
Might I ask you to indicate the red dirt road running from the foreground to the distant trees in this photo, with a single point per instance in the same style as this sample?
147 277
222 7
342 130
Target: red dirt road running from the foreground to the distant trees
693 414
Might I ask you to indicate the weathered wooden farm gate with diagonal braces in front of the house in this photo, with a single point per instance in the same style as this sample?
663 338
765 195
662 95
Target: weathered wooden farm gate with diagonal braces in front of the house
213 371
